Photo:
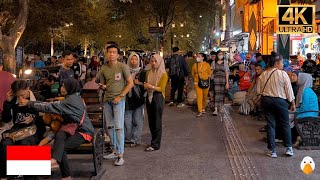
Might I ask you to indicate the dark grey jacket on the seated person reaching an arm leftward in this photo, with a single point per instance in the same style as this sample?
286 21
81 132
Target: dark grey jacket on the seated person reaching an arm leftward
71 109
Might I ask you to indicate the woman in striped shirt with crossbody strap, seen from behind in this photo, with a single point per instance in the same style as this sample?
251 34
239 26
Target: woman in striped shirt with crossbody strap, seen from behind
275 89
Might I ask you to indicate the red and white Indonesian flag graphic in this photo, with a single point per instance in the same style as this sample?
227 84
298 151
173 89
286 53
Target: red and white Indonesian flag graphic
28 160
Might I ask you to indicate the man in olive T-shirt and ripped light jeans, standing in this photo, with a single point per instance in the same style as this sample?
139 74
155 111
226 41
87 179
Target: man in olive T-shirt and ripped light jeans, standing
116 81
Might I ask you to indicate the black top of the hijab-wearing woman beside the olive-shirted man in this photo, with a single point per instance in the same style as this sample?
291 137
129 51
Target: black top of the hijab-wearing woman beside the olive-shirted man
137 98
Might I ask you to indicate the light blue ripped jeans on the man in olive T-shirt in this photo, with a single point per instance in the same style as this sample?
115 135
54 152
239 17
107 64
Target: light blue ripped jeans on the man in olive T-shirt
114 120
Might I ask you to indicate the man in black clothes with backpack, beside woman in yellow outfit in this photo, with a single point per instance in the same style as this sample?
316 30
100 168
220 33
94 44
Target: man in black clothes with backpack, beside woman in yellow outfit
178 71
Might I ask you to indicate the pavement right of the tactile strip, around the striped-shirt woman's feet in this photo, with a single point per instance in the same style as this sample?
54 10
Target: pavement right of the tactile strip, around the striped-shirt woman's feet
284 168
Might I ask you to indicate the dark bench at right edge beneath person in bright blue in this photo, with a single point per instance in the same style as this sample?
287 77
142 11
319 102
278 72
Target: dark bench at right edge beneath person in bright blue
309 130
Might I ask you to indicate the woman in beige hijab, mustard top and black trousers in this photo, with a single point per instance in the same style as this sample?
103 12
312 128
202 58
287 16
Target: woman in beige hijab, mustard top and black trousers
156 81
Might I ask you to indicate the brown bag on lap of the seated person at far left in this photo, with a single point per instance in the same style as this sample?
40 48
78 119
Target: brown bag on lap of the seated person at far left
21 133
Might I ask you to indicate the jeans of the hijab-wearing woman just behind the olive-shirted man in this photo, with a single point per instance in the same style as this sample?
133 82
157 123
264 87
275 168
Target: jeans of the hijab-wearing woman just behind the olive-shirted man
133 124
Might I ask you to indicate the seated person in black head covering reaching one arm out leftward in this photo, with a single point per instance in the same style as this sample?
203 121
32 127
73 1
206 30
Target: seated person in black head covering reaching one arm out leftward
73 111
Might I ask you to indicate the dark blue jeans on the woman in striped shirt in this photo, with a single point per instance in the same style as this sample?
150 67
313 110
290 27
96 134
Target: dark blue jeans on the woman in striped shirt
276 112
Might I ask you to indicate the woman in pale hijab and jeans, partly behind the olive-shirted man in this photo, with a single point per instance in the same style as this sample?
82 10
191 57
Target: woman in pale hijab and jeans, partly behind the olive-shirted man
134 114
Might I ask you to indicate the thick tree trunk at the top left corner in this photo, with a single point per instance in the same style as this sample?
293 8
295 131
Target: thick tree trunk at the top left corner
9 43
